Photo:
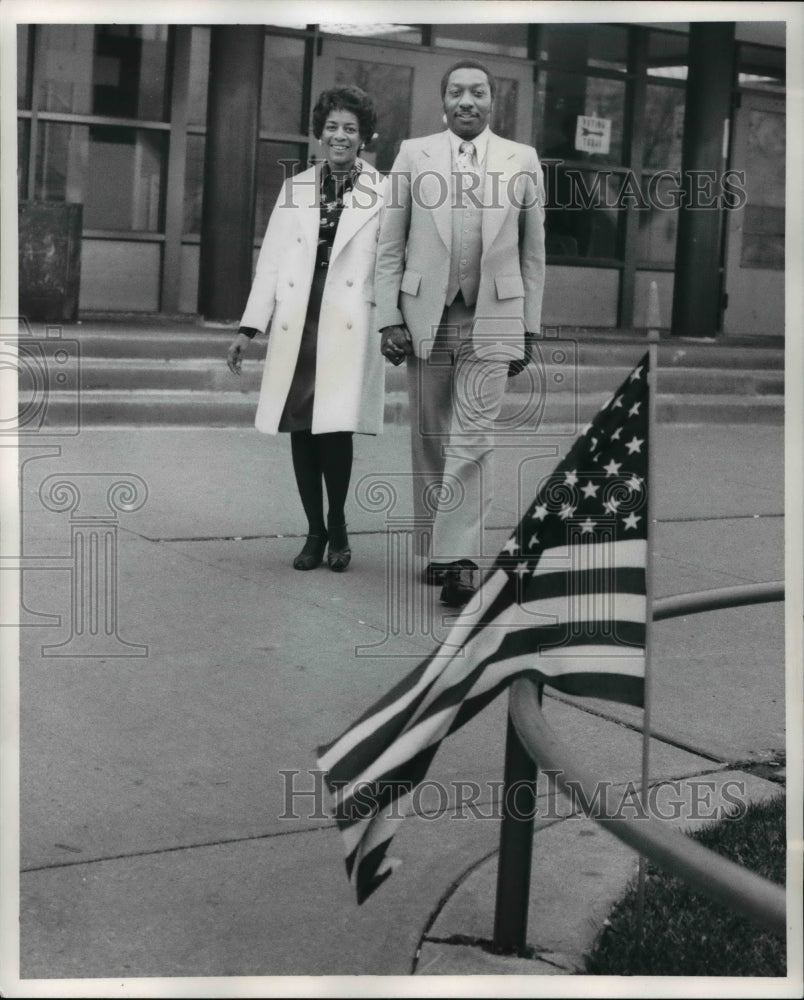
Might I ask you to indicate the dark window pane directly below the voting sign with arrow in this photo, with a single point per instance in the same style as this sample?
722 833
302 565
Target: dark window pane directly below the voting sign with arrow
583 218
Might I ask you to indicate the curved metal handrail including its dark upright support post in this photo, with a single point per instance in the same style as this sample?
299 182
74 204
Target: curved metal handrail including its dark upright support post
531 741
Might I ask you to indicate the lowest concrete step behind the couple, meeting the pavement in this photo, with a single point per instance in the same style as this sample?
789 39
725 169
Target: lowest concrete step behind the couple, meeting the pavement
225 409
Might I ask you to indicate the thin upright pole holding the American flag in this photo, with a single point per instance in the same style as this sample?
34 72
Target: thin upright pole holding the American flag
653 366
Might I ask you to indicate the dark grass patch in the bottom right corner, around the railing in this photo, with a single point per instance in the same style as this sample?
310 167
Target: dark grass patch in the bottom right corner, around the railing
685 933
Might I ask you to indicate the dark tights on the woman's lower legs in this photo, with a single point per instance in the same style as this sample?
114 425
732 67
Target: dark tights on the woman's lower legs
327 458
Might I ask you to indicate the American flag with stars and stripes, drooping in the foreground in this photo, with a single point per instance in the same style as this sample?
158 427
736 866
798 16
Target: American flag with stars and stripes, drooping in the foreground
564 603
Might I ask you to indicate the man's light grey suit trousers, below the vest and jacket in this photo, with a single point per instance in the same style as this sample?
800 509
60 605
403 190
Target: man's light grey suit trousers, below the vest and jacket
455 399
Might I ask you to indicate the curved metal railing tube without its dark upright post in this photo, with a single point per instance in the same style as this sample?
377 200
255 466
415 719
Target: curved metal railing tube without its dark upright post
712 874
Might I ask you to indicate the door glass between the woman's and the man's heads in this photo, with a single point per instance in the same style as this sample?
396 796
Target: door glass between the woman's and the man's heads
390 87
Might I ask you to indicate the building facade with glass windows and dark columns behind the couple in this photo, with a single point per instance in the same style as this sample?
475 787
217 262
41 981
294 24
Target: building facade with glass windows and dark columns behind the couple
663 145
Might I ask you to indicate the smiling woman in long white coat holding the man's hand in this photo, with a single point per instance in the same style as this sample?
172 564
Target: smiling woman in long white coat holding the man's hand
323 377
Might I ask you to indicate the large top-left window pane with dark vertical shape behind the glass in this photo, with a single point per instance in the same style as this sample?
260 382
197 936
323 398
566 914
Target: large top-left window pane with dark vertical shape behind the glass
117 70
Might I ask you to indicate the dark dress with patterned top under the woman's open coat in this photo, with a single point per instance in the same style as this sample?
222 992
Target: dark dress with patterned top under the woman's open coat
298 412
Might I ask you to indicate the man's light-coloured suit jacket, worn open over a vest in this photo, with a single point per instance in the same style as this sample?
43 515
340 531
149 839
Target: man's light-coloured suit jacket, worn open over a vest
415 240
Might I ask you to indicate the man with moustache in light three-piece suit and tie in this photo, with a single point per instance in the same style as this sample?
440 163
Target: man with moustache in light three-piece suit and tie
458 286
